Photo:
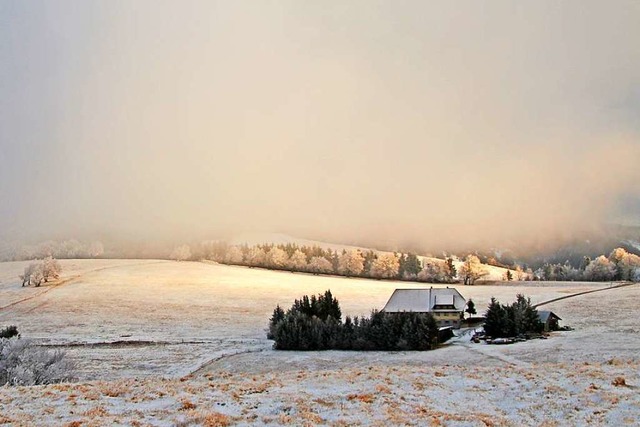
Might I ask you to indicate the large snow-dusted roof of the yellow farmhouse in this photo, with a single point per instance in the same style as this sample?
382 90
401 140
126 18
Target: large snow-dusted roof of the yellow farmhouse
423 300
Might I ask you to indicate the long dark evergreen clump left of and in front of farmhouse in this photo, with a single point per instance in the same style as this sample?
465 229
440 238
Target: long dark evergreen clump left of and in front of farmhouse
316 324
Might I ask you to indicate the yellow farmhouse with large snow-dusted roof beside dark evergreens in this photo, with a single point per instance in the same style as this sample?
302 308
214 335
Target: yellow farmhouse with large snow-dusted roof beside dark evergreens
445 304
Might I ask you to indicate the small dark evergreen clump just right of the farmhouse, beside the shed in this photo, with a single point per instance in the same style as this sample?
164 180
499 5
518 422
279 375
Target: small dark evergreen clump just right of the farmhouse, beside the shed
518 318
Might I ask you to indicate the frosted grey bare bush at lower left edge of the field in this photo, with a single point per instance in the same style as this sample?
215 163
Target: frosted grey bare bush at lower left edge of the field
22 363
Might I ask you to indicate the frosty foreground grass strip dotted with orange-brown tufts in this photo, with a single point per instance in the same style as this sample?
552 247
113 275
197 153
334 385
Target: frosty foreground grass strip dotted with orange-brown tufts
552 394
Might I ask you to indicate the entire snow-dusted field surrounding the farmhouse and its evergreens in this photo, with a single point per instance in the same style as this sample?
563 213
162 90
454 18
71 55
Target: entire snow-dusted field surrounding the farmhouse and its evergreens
167 343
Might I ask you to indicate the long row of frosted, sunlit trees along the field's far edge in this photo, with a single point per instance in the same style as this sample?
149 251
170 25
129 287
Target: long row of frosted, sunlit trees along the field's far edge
619 265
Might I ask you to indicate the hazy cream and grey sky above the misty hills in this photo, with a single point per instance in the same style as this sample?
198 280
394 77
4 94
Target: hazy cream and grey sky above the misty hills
405 122
